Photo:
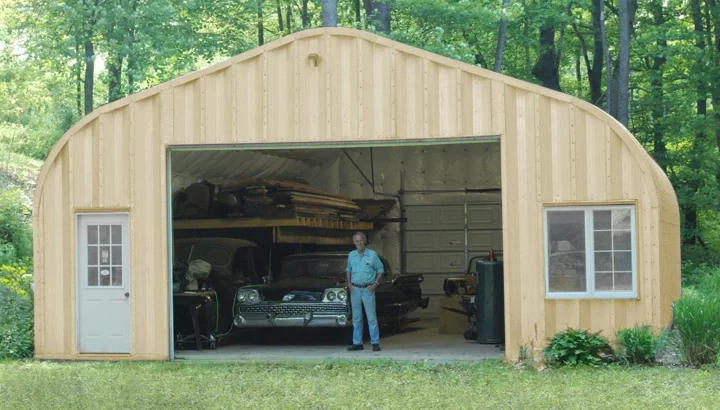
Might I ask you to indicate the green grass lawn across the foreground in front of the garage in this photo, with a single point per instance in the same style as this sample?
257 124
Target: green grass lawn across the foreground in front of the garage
344 384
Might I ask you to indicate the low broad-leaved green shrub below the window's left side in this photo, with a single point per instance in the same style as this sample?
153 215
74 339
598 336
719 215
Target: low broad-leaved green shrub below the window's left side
572 347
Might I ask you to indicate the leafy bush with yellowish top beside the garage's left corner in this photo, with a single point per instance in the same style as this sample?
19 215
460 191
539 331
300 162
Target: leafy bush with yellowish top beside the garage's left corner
16 312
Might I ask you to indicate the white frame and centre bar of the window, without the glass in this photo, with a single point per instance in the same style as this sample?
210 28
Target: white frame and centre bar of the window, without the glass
590 292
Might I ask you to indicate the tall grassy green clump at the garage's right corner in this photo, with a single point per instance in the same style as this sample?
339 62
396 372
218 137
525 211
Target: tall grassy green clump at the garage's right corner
697 317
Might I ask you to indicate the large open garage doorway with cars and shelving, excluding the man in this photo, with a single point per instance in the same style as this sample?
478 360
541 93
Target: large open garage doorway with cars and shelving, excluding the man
260 238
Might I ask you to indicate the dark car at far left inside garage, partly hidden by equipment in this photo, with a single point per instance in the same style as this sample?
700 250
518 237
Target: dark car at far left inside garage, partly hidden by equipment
234 263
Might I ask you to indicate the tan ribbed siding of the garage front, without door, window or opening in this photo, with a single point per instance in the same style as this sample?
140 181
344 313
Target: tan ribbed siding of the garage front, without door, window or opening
554 149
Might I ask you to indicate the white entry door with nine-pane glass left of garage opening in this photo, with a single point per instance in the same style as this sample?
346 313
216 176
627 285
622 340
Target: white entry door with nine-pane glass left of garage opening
103 283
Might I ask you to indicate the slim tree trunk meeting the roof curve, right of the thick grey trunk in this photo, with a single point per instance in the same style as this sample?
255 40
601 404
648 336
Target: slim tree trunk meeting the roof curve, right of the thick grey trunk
656 88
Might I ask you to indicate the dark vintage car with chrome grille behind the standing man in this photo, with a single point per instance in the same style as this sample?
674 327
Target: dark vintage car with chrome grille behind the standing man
312 292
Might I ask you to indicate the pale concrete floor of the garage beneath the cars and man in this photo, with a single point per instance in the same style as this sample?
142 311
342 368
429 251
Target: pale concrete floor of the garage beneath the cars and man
420 341
